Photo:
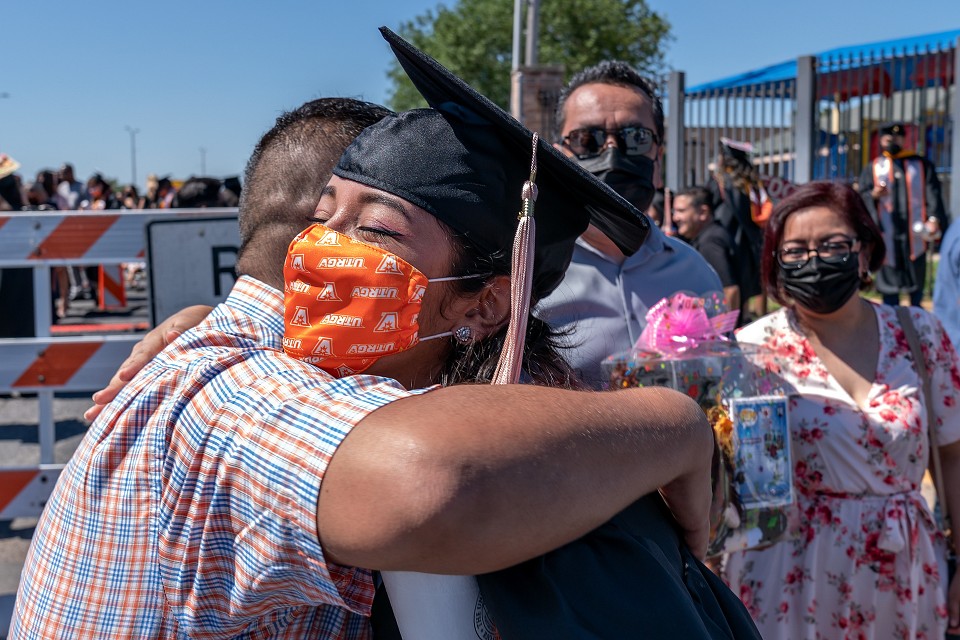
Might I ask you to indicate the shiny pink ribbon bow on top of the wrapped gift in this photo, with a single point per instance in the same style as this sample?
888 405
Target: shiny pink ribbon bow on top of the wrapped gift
680 322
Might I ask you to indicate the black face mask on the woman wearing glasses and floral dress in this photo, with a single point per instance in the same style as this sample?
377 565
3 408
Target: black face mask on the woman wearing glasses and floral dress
822 287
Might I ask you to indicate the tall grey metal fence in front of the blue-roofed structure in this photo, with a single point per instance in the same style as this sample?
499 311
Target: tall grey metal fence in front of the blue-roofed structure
817 119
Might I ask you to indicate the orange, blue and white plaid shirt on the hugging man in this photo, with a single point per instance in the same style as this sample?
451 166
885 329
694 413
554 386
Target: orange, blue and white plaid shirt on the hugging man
190 507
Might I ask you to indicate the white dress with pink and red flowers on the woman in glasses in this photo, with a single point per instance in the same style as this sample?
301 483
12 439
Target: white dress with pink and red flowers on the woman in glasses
864 557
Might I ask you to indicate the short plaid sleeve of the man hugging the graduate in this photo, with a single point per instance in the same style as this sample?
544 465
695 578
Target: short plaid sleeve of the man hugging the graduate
267 444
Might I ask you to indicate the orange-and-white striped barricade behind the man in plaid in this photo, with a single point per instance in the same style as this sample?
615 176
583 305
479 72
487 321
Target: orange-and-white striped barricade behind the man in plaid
46 364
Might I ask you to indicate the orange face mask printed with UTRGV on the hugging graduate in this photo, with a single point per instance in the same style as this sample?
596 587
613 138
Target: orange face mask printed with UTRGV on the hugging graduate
347 303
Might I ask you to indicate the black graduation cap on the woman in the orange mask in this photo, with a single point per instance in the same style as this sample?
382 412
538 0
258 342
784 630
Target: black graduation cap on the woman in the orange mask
465 161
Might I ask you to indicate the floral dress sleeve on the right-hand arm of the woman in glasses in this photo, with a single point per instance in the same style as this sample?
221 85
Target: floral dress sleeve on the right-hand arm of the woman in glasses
944 371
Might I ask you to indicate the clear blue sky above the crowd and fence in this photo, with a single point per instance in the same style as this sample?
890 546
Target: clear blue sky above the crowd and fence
214 74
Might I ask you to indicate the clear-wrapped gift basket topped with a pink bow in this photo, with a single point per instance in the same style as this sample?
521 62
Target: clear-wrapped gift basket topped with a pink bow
686 346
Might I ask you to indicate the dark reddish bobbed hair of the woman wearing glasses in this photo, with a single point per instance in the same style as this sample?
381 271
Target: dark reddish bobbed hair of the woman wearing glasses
839 198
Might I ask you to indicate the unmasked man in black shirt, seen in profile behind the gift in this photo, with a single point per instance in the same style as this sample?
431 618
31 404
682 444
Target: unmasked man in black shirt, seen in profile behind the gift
693 215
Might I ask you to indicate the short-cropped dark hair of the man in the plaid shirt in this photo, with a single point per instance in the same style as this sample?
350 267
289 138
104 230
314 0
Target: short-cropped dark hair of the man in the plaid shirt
286 172
